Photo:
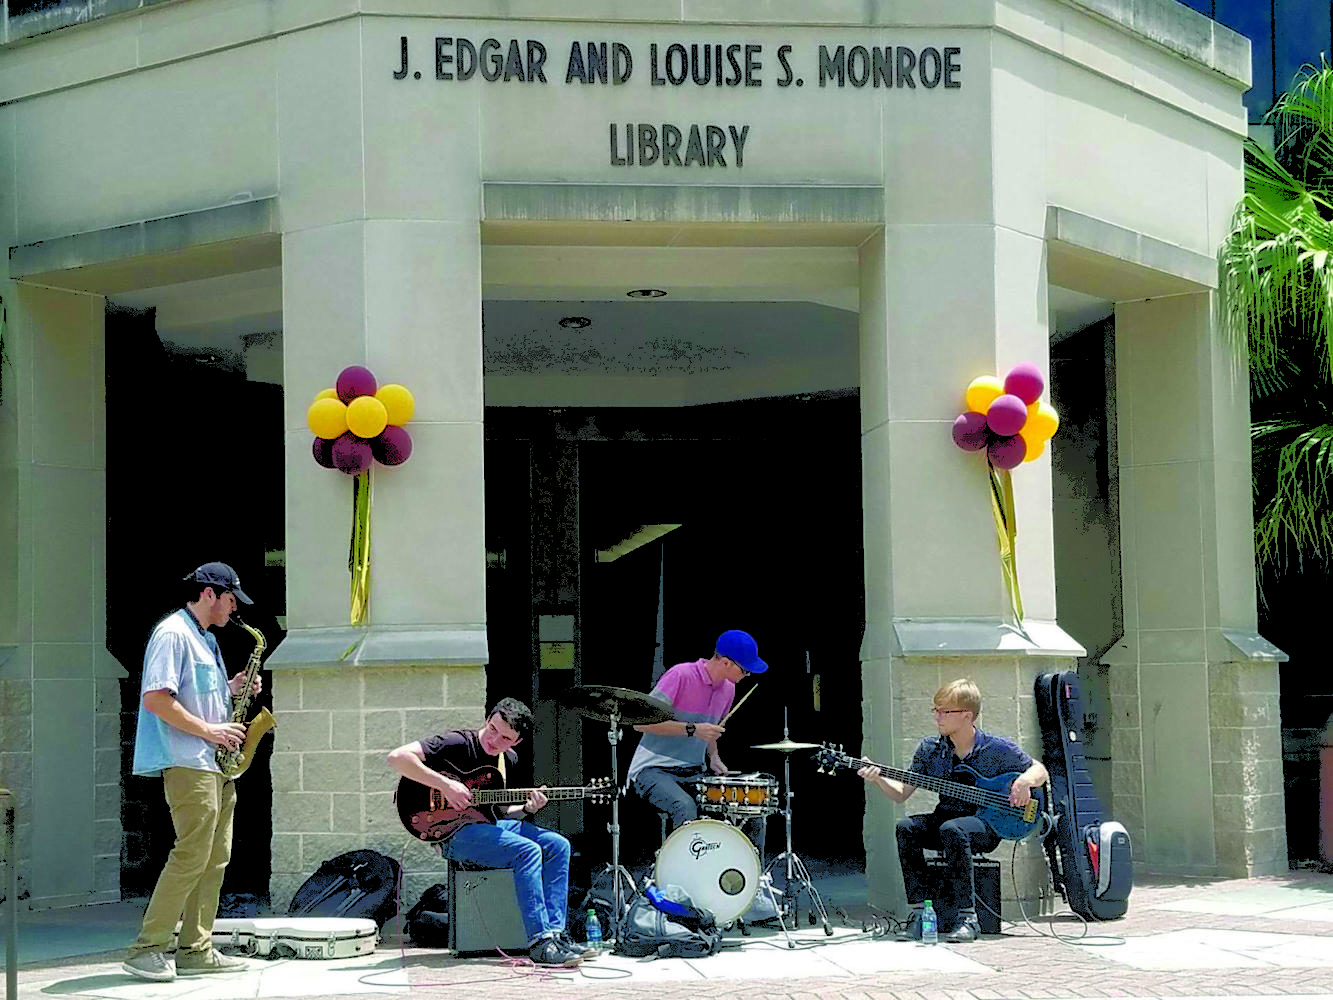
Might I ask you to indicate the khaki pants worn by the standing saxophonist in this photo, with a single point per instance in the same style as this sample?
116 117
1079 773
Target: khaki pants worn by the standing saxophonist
202 807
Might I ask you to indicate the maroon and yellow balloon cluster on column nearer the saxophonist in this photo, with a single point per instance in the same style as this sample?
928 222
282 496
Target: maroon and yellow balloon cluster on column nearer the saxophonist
359 421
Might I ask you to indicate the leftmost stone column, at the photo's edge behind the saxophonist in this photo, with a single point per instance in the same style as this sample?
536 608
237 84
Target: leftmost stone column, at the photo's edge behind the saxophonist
59 687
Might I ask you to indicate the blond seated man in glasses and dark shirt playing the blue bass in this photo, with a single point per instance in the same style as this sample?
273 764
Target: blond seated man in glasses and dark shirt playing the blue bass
952 829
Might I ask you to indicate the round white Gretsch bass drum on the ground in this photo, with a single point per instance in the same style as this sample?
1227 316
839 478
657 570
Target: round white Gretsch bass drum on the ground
715 863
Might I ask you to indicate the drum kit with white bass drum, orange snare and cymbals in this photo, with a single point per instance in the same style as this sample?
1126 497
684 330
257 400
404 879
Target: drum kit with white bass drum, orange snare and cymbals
711 858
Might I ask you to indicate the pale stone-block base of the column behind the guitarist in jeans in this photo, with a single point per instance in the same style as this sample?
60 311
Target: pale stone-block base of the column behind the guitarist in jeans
333 786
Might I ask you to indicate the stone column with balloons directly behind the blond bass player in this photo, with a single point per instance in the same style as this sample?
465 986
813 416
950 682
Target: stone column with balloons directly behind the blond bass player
927 507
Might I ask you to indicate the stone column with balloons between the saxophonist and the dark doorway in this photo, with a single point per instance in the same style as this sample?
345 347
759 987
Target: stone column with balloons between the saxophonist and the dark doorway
381 267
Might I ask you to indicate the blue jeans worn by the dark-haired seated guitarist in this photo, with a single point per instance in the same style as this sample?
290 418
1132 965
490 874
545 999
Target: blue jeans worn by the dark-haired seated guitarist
541 863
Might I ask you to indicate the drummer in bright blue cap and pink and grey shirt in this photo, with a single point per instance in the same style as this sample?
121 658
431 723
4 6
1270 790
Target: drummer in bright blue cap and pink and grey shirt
672 757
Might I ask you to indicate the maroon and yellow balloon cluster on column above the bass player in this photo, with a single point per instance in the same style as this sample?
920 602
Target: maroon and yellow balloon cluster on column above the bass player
1007 419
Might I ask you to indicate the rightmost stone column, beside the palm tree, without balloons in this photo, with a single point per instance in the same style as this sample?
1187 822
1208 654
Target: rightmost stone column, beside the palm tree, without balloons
1198 755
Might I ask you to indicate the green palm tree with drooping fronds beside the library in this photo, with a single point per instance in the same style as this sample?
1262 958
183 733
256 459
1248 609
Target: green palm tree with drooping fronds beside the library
1276 303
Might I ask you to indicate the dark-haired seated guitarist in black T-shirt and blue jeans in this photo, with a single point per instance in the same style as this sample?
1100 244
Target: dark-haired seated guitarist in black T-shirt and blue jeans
539 858
